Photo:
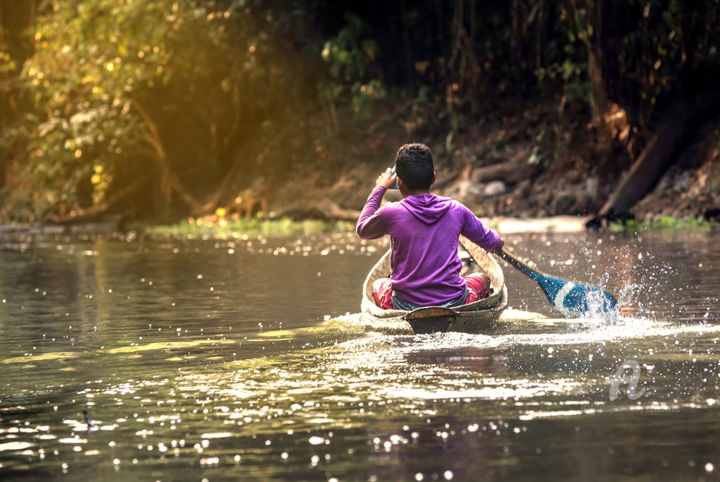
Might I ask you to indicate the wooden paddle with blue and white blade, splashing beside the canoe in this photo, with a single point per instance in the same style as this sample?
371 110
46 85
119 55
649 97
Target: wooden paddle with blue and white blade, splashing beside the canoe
566 296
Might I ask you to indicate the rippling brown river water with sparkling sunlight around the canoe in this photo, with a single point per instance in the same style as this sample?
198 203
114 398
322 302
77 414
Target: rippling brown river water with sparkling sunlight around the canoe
131 359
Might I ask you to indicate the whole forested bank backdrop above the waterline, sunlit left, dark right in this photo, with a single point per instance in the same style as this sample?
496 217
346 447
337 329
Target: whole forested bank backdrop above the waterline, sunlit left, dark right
157 110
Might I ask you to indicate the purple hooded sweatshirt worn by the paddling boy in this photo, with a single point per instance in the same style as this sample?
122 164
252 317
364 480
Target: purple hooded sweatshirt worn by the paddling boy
424 233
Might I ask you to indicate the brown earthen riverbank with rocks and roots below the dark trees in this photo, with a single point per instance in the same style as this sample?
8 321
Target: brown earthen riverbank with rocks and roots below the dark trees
525 162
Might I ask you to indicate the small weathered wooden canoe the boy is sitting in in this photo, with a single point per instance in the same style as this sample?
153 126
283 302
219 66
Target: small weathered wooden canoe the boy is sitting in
472 318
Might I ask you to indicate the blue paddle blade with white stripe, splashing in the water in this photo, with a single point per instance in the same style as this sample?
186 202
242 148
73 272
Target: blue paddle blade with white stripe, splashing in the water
576 298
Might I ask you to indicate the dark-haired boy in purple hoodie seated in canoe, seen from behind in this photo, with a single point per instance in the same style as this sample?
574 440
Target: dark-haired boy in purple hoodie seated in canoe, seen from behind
424 230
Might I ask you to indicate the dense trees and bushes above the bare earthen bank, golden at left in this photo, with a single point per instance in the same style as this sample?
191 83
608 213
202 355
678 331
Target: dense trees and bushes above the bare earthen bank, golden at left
166 108
